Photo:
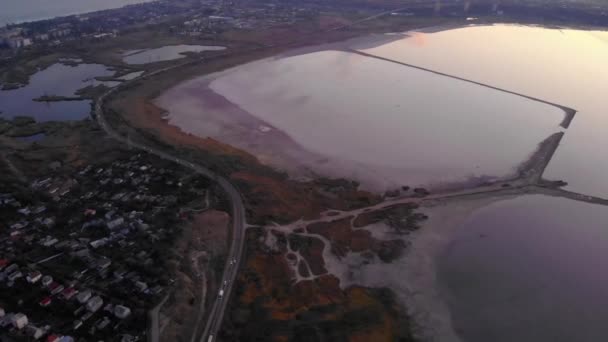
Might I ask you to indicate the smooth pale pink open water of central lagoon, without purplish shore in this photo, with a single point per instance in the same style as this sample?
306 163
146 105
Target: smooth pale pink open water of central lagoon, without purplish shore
407 125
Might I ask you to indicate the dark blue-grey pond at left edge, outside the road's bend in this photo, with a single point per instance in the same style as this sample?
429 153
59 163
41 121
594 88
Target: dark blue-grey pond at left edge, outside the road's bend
58 79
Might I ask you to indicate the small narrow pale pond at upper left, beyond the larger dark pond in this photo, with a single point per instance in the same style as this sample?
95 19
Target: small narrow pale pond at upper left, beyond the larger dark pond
165 53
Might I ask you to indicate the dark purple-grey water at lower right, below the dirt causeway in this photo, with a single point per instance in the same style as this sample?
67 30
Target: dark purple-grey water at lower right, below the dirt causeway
529 269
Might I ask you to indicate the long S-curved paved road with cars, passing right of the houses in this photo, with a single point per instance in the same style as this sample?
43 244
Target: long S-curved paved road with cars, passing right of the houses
233 258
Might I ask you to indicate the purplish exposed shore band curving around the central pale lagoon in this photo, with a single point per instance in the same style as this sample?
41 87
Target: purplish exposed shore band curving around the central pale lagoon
236 126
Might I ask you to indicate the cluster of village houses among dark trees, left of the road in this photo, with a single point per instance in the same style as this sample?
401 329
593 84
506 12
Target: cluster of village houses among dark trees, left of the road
83 254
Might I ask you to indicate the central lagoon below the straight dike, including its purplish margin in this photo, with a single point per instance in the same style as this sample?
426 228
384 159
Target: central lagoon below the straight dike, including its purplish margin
341 114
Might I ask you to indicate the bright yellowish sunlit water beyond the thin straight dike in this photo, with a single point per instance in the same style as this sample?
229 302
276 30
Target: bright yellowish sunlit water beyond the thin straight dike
564 66
